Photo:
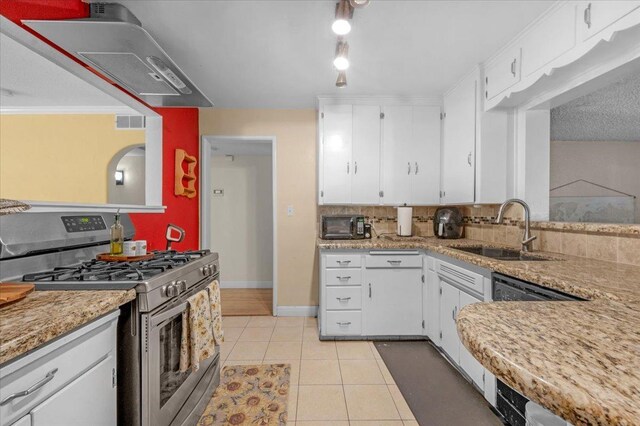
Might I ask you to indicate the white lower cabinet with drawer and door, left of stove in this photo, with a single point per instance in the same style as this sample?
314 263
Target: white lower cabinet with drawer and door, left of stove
70 381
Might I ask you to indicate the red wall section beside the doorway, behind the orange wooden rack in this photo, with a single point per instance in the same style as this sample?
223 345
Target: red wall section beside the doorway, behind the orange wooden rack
179 130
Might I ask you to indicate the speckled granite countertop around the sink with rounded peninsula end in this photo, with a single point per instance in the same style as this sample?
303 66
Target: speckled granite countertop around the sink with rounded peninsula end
581 360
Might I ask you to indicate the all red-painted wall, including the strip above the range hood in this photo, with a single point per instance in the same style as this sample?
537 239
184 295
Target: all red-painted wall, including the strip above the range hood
180 129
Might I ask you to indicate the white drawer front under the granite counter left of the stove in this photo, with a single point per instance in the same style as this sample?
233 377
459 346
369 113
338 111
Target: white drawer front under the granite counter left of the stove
55 365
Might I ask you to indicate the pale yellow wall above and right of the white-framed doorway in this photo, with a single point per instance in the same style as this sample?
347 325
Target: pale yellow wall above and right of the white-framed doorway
295 132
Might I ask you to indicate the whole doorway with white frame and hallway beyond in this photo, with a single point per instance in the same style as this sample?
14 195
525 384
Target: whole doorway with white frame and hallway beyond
238 202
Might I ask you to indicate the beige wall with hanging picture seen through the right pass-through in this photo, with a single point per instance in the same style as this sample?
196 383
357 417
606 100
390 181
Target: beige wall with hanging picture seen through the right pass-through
612 164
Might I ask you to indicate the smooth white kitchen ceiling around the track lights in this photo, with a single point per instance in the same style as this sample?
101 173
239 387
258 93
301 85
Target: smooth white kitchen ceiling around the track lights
279 54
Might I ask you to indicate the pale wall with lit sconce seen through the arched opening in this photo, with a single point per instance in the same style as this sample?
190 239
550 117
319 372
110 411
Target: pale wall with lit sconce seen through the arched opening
132 189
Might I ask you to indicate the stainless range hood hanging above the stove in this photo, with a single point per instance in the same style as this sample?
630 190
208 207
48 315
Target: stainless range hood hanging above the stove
113 42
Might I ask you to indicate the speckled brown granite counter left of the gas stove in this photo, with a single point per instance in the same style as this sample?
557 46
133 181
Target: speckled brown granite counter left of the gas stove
45 315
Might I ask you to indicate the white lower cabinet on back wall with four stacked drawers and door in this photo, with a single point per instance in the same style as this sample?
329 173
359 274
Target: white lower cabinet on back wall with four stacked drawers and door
371 293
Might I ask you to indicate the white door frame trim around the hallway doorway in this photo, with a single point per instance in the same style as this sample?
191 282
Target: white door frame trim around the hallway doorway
205 196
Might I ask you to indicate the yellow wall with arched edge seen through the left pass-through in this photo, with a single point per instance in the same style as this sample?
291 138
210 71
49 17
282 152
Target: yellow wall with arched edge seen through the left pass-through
60 157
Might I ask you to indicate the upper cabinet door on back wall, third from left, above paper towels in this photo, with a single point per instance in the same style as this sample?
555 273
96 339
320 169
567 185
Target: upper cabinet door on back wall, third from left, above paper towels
396 156
